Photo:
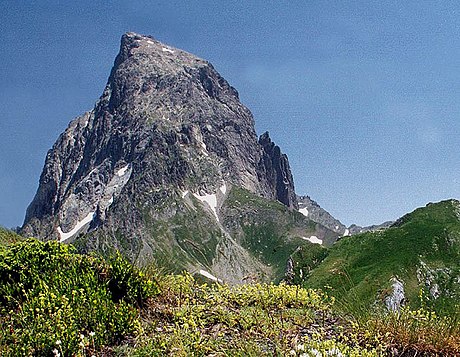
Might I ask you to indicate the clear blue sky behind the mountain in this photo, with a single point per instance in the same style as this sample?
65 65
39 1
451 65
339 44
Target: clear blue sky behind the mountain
363 96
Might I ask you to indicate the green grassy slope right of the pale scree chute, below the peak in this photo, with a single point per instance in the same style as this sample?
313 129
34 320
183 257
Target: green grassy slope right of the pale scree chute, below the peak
269 230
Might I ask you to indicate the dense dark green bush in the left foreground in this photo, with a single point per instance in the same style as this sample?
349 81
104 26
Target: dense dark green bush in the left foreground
53 300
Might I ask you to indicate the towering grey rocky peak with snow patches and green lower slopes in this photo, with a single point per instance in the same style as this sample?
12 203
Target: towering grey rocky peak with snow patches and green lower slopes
167 167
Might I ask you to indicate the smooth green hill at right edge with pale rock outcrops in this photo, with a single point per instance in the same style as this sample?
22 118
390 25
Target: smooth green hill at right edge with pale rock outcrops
420 252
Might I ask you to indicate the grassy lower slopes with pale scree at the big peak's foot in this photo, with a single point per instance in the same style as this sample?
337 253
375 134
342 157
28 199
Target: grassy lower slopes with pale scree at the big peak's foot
190 238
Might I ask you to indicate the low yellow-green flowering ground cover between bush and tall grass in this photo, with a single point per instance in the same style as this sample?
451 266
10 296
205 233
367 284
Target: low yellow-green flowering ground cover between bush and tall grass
191 319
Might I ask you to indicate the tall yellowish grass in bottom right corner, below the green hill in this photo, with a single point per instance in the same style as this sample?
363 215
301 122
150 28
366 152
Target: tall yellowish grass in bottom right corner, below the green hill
405 332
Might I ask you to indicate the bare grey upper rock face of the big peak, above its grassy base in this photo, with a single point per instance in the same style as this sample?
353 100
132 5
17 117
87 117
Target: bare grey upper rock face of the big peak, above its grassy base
164 114
